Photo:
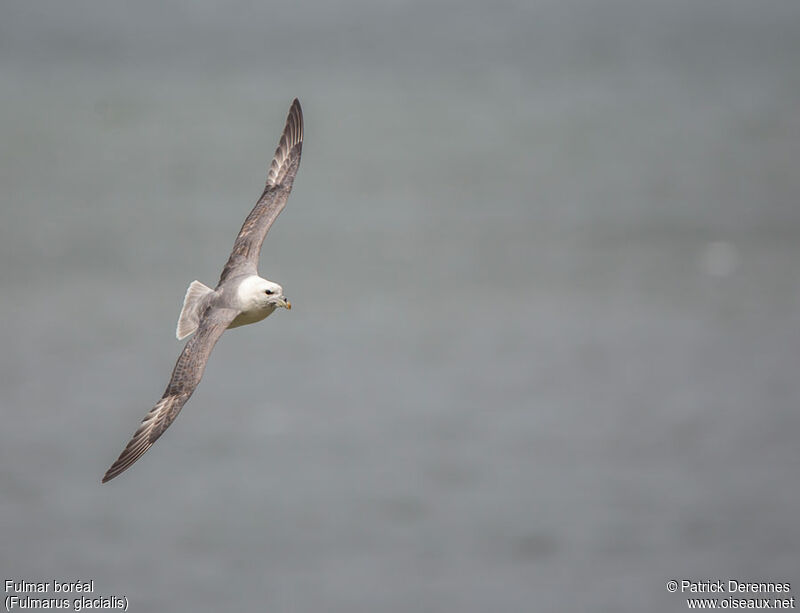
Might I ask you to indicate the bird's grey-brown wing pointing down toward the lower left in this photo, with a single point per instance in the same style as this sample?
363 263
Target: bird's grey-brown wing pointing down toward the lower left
185 376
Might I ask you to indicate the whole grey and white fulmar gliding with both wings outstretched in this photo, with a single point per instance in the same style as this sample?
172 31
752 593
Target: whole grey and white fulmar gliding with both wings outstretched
241 297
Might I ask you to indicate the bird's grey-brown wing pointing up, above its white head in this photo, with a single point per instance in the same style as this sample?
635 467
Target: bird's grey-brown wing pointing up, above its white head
246 249
